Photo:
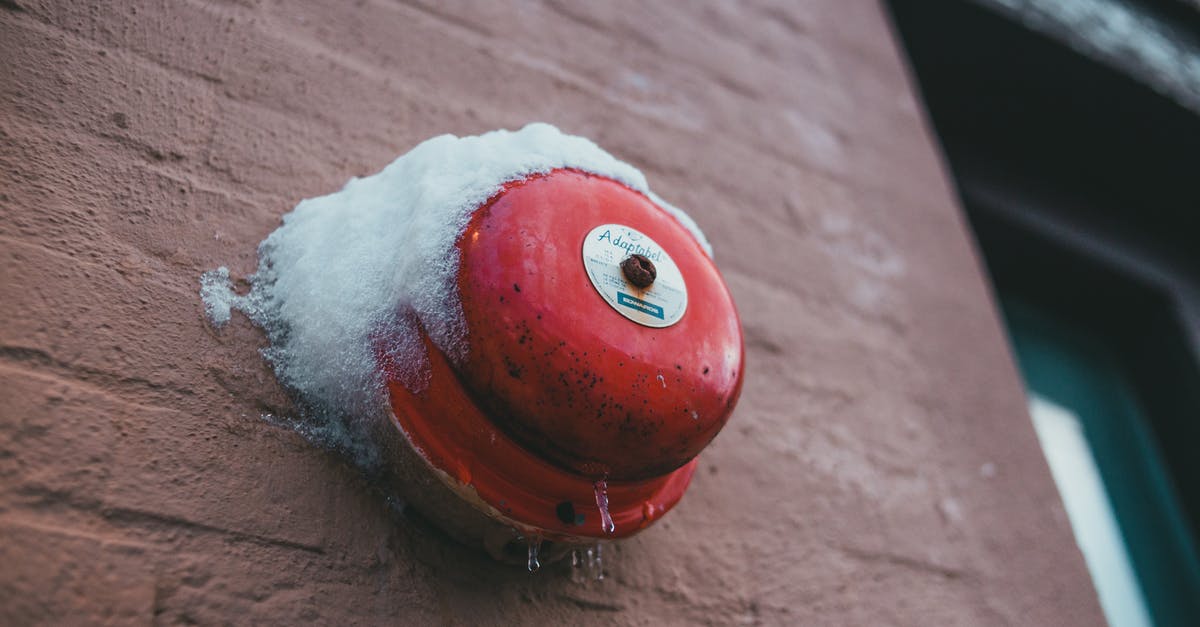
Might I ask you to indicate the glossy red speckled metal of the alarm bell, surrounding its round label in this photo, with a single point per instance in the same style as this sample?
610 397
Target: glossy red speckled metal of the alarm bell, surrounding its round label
557 390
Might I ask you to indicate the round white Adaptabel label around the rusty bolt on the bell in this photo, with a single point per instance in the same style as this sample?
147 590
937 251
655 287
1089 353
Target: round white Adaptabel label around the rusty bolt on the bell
661 304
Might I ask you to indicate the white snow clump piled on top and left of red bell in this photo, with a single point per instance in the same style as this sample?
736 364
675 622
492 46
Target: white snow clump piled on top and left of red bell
334 280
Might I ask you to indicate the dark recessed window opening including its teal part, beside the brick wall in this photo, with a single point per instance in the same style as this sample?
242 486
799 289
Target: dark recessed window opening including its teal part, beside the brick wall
1082 183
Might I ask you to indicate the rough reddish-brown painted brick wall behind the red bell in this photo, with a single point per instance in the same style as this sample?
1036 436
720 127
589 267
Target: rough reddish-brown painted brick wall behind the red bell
880 469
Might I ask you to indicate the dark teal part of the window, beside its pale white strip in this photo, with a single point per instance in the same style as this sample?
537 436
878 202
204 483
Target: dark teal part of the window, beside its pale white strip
1076 369
